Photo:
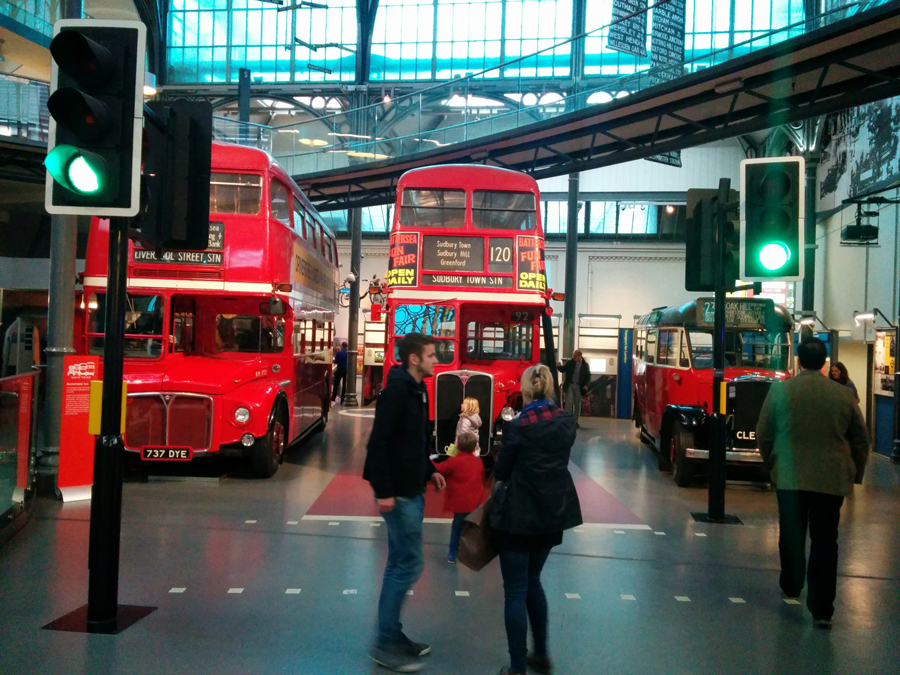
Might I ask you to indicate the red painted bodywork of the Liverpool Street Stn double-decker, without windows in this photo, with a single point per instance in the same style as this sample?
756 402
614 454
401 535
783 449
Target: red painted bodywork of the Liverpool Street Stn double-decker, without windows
261 259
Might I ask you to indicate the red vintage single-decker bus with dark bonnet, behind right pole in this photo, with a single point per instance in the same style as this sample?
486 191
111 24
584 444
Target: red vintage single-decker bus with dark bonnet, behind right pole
673 378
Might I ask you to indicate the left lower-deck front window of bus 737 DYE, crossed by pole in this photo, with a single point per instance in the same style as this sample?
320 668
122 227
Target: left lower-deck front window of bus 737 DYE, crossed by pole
144 330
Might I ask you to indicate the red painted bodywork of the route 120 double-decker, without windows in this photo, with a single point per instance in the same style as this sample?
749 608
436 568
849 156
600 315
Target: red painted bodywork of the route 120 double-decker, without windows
472 303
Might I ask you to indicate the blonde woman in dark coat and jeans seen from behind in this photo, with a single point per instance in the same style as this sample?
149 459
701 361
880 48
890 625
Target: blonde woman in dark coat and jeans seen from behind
535 501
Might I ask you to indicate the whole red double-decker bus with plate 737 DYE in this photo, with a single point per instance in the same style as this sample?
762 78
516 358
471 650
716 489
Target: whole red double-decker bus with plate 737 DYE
227 350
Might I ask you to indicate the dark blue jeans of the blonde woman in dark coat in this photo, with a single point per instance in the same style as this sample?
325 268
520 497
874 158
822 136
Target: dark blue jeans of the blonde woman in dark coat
524 601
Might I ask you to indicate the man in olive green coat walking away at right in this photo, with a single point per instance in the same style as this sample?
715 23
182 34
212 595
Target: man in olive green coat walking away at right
813 440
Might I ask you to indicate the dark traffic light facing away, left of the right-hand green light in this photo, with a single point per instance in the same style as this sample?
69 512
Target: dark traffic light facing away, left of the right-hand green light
702 249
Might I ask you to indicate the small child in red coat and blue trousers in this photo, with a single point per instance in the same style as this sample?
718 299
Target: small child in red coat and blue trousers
465 486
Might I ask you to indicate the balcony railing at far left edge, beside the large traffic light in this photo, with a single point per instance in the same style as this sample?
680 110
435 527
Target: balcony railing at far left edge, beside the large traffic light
23 110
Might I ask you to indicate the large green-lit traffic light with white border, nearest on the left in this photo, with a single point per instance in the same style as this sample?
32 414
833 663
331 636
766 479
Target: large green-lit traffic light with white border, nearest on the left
96 112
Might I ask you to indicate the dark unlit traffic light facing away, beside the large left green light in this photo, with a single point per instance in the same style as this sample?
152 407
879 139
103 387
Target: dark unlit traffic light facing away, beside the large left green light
177 162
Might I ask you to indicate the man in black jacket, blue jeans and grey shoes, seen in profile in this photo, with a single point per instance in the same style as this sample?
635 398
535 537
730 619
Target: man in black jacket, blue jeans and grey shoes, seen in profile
399 469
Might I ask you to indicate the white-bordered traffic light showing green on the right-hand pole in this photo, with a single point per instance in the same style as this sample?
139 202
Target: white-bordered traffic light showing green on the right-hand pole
772 219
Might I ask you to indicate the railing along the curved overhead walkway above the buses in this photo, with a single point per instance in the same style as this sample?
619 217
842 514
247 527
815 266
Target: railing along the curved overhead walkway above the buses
353 137
